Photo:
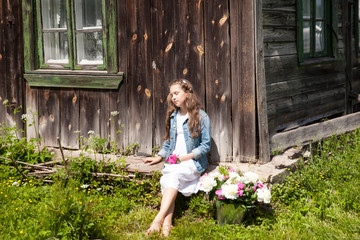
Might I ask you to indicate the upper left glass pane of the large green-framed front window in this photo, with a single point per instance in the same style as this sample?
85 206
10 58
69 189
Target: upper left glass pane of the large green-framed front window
53 14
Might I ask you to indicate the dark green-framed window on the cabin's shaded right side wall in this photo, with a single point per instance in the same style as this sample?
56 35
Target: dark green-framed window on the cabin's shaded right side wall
314 29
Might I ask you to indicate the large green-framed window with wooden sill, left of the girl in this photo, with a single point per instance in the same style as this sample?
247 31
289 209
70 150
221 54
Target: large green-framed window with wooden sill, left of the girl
70 65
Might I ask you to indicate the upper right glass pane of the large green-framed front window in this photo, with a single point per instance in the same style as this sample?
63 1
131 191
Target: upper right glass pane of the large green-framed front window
88 14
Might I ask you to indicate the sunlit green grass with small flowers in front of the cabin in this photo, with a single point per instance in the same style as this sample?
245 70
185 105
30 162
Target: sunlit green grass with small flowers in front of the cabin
320 200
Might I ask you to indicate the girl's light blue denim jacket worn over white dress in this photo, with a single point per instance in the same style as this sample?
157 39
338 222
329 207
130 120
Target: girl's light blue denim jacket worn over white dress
199 145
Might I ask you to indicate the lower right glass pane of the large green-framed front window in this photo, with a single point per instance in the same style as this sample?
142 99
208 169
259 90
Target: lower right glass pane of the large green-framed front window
89 48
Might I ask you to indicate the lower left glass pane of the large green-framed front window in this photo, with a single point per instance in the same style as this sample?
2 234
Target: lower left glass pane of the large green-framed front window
56 48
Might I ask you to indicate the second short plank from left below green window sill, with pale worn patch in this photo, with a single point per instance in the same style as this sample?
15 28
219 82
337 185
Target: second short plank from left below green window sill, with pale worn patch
49 116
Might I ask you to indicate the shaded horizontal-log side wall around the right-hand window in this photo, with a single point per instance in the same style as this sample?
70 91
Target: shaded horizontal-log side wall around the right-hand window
298 95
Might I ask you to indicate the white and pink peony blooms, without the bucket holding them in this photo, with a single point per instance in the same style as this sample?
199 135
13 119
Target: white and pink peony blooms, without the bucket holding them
227 185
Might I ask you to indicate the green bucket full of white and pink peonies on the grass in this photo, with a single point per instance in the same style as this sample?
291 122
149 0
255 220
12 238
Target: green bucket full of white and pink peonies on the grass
234 193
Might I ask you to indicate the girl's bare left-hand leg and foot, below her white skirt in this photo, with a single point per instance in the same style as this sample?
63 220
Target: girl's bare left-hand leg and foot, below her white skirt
167 204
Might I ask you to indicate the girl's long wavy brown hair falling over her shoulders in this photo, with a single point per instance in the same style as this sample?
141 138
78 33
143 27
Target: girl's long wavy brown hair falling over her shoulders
193 106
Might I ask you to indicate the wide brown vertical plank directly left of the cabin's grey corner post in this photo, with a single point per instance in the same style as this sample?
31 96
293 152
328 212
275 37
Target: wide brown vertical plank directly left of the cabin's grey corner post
243 80
